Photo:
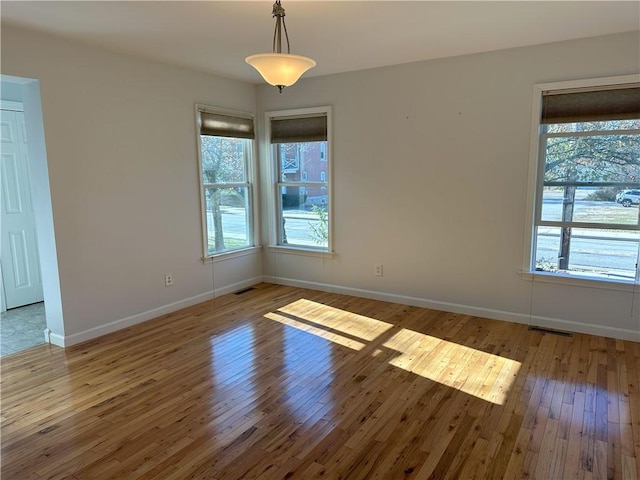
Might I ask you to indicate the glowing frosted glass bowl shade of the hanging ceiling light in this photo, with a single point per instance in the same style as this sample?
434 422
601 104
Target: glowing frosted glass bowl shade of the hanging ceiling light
280 69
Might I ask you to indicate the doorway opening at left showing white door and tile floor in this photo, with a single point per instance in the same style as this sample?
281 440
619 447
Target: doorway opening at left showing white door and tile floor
28 264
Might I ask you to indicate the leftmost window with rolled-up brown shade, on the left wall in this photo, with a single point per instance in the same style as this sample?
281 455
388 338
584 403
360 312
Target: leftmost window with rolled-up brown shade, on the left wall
225 143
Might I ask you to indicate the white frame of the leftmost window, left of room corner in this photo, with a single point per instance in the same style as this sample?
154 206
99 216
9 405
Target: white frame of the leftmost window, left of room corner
250 183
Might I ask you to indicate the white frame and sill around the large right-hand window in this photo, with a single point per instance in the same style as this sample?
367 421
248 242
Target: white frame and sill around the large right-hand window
535 188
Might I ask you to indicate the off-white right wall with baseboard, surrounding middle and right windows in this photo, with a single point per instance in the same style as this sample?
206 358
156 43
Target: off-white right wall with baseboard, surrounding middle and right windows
430 179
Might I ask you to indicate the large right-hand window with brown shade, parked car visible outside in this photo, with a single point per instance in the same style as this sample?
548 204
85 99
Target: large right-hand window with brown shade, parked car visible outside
586 218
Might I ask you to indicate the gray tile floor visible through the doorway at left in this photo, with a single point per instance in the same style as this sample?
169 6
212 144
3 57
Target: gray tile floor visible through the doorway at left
22 328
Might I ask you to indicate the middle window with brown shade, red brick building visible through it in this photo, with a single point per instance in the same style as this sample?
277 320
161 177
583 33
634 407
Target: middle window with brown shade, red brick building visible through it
299 148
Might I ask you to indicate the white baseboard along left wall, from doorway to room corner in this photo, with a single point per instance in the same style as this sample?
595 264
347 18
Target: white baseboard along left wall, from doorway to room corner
90 334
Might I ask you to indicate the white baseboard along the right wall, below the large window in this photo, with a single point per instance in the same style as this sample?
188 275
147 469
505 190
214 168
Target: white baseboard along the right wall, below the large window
554 323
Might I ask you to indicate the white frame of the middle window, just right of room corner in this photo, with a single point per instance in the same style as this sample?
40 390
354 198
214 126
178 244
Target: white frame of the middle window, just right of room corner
274 198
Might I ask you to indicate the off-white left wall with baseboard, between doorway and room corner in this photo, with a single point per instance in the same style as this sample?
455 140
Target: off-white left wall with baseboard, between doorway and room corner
121 148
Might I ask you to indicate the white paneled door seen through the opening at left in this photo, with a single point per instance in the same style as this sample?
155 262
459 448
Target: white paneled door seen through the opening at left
19 245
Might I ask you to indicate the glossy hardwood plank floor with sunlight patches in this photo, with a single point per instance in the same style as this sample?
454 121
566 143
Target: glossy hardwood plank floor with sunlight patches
280 382
